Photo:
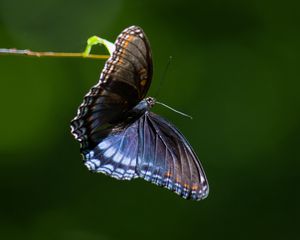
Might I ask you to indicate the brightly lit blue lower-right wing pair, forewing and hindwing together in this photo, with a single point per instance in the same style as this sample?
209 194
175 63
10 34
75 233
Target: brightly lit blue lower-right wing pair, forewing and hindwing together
153 149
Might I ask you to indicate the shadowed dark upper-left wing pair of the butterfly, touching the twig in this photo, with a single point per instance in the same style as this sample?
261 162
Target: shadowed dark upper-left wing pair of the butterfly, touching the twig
123 82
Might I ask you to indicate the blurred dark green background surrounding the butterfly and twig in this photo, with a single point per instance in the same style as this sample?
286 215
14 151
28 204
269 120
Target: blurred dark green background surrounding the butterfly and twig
235 69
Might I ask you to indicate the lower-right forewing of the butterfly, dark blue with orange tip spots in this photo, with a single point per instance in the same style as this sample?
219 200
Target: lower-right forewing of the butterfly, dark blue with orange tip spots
167 159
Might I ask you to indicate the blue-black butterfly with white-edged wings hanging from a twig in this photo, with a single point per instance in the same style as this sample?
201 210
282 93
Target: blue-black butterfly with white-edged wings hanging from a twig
119 135
